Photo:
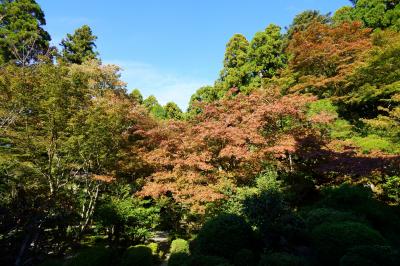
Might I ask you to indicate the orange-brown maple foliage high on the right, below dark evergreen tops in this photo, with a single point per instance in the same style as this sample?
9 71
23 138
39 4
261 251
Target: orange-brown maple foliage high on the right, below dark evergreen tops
324 56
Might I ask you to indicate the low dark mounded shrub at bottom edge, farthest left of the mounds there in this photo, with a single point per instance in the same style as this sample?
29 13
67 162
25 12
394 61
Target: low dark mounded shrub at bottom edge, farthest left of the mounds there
97 256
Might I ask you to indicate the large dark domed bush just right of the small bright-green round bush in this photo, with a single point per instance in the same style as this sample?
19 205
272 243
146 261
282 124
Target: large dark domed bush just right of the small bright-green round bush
224 236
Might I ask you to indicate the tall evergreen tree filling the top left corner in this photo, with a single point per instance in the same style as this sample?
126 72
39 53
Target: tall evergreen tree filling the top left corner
22 38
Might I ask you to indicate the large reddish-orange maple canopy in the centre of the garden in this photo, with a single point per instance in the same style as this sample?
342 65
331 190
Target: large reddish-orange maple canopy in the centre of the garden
233 138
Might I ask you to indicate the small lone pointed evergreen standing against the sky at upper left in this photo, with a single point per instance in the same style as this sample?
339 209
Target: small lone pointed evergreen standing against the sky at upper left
79 47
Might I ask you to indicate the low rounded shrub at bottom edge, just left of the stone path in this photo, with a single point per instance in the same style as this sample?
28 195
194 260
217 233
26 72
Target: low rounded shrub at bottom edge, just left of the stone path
137 255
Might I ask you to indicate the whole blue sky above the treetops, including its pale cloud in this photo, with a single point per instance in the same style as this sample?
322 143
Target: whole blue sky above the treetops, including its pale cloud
171 48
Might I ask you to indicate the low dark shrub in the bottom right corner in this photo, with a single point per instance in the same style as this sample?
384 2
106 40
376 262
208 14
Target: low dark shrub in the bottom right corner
370 255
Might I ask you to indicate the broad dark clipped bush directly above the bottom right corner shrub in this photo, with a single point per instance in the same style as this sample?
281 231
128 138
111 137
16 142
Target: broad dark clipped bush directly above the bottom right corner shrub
333 240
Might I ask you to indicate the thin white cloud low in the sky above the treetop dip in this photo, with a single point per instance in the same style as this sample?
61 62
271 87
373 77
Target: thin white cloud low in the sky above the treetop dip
164 84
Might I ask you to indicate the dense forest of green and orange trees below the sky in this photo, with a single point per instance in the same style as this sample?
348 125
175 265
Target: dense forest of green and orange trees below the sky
290 158
